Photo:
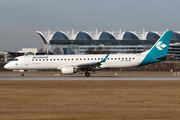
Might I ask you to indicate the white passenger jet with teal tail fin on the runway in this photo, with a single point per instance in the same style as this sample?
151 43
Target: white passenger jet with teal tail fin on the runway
70 64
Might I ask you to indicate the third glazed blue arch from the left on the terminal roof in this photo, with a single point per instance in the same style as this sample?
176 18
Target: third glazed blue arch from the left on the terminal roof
106 36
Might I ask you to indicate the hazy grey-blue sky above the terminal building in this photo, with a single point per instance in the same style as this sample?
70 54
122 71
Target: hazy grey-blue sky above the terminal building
21 18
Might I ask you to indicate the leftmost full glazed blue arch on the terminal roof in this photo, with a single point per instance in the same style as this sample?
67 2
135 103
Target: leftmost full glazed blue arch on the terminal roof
60 36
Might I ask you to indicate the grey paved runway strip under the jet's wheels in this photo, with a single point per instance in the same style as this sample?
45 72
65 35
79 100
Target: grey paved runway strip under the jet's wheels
82 77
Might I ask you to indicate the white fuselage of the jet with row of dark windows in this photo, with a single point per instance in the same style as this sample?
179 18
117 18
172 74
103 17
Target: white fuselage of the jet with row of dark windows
37 62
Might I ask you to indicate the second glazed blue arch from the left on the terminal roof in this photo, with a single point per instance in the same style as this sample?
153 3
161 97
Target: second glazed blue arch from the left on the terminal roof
83 36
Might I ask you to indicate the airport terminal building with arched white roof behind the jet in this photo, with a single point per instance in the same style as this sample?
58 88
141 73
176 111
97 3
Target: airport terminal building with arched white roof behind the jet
103 42
